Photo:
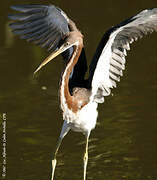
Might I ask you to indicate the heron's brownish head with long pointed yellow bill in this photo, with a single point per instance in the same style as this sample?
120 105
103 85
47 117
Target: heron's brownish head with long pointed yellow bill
73 39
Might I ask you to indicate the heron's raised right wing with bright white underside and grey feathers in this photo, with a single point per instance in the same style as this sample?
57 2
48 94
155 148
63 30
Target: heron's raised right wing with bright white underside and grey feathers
109 61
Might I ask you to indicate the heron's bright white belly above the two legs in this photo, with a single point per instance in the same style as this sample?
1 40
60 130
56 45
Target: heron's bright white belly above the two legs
86 118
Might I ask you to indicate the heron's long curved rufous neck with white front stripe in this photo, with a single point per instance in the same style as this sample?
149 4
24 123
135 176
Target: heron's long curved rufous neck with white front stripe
67 101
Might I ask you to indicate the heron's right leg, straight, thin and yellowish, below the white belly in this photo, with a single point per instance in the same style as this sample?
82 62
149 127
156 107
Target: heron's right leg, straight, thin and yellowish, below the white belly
85 158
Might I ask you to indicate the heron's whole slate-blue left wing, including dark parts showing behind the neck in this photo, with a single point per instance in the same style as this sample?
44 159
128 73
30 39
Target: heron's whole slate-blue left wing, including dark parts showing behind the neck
47 26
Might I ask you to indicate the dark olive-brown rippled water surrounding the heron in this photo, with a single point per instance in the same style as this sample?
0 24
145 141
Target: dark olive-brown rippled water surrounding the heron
123 145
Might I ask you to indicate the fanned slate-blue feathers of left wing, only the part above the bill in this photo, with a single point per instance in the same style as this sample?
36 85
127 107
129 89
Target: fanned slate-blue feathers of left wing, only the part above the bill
45 25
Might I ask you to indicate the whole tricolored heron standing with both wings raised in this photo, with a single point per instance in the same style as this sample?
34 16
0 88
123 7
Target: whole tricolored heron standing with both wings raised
50 27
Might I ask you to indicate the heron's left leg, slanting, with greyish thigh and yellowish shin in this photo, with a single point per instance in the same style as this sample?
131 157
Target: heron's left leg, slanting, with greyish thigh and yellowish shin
65 129
